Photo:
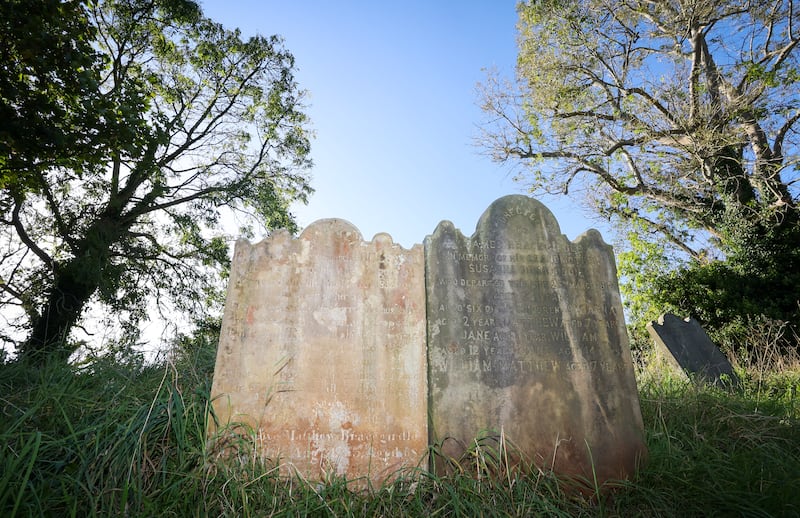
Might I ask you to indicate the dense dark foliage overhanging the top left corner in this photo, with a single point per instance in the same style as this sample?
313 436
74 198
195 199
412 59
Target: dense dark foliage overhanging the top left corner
50 111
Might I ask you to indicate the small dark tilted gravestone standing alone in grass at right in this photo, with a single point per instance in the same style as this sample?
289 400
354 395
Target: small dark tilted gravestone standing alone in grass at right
686 348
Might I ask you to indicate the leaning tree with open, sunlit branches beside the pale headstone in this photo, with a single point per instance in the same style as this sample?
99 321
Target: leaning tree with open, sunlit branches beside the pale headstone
188 121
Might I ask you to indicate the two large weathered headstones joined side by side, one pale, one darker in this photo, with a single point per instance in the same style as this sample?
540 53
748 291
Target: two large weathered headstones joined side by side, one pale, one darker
357 359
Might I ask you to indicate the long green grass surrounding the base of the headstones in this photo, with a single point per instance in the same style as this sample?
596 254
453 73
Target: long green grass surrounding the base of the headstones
125 439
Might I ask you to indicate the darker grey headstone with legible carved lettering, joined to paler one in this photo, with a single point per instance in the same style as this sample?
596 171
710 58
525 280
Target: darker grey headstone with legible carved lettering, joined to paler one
526 338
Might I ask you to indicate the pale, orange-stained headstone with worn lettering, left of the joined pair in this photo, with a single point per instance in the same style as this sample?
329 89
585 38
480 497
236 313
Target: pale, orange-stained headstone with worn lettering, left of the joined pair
322 350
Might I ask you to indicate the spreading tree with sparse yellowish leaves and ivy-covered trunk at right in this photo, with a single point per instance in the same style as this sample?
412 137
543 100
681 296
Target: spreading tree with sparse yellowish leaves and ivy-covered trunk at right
676 120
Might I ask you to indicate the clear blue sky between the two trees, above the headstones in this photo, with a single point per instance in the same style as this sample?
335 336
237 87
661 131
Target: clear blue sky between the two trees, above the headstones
392 95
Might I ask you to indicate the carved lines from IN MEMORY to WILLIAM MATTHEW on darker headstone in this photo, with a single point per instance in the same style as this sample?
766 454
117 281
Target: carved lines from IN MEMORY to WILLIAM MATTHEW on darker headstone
539 324
